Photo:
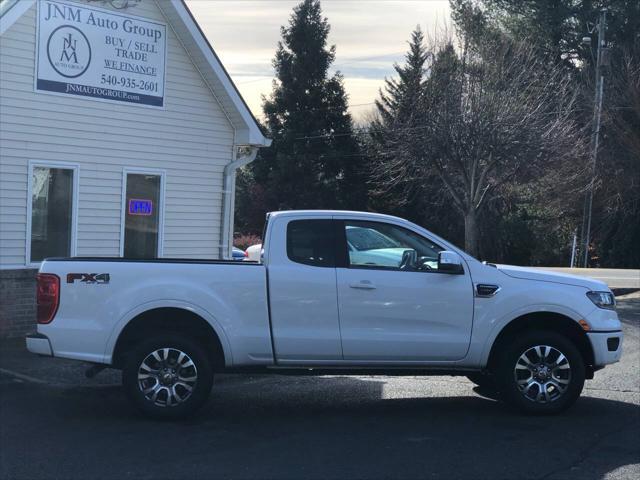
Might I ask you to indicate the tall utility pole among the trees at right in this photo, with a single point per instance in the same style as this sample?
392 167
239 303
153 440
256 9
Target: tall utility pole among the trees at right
595 133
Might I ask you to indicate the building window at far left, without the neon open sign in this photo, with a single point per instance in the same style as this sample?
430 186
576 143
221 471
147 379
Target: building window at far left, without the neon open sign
52 192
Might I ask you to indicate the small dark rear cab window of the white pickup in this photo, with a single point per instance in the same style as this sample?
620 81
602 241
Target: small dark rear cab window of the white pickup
311 242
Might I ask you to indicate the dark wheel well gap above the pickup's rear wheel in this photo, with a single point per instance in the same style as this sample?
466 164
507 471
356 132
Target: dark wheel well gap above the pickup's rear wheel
171 318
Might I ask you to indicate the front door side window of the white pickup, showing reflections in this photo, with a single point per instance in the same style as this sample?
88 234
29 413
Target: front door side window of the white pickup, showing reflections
386 246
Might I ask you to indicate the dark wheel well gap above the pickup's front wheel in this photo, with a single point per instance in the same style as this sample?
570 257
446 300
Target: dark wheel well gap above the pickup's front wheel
551 321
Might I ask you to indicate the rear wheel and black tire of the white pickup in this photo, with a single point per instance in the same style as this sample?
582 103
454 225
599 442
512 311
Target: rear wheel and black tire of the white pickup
167 405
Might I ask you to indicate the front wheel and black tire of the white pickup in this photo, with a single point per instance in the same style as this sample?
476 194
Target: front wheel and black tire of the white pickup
547 390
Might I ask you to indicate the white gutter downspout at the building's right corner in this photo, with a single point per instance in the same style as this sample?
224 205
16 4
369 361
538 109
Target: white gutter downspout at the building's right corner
242 155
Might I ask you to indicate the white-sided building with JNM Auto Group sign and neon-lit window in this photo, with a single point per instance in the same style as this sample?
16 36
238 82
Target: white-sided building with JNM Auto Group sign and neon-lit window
120 134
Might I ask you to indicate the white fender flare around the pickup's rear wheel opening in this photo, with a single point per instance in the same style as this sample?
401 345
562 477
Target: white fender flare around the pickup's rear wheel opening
120 325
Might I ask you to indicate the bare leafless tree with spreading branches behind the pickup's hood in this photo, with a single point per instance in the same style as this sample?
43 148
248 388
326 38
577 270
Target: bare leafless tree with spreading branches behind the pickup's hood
488 119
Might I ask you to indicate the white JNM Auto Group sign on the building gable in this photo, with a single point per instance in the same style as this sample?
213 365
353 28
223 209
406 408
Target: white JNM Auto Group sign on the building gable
94 52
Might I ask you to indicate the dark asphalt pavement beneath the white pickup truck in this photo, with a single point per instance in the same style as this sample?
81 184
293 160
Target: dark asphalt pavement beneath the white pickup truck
59 425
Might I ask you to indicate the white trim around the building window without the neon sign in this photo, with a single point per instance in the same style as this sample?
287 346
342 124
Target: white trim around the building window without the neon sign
75 168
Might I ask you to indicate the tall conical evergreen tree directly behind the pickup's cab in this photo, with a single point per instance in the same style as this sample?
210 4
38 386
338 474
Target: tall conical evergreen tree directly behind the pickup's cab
314 161
